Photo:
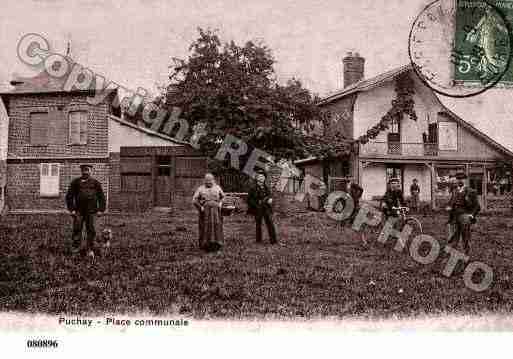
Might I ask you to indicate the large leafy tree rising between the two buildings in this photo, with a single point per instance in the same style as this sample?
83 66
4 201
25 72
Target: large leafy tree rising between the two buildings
234 90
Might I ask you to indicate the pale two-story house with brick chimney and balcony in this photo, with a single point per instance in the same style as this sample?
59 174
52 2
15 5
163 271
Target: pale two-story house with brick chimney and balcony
431 147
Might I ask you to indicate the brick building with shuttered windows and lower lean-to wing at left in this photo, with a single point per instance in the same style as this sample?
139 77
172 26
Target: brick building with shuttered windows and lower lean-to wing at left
52 131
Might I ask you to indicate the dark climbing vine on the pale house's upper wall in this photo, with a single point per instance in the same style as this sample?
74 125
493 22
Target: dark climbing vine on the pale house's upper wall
403 104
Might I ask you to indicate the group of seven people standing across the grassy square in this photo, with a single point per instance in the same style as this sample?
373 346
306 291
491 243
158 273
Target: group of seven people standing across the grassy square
85 200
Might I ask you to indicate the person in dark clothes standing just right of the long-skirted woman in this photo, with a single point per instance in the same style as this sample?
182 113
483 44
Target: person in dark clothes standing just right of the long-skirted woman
260 205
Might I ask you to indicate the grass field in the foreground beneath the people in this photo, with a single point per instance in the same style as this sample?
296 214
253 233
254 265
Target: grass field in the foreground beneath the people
321 270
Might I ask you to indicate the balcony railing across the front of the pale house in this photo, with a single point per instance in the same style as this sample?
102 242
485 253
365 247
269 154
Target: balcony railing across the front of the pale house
399 149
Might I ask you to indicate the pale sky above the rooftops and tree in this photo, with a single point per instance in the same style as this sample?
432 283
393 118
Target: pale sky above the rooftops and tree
132 42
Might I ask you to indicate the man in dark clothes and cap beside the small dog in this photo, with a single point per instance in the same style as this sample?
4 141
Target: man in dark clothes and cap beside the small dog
85 199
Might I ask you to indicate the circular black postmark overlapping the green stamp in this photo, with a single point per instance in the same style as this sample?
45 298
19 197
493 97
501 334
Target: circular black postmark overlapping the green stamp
461 48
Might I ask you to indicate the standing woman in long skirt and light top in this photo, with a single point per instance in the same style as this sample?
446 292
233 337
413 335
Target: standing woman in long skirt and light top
208 200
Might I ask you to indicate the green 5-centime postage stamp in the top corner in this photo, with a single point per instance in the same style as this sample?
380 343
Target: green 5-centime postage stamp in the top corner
482 42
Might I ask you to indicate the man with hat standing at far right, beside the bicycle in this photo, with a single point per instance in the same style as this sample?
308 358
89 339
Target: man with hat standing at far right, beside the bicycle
463 209
